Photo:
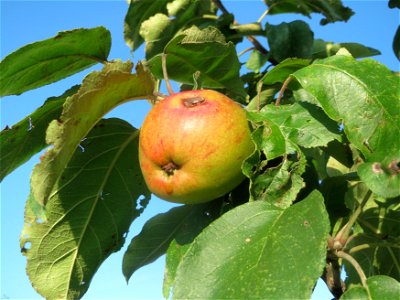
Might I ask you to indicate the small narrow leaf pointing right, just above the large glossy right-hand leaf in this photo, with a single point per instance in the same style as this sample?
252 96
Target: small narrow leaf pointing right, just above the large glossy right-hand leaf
322 49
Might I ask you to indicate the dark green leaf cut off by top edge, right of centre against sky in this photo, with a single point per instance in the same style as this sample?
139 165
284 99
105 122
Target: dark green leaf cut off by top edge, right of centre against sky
332 10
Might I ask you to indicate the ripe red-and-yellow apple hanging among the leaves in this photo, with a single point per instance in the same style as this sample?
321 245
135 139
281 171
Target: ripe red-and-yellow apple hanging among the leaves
192 145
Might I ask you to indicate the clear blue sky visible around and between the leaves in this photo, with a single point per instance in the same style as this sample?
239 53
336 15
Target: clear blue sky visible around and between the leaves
25 22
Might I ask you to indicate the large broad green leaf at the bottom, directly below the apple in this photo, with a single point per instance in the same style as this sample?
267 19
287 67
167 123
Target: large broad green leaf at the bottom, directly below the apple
240 255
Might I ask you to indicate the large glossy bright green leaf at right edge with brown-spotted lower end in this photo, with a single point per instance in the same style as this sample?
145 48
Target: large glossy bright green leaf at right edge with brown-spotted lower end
370 114
